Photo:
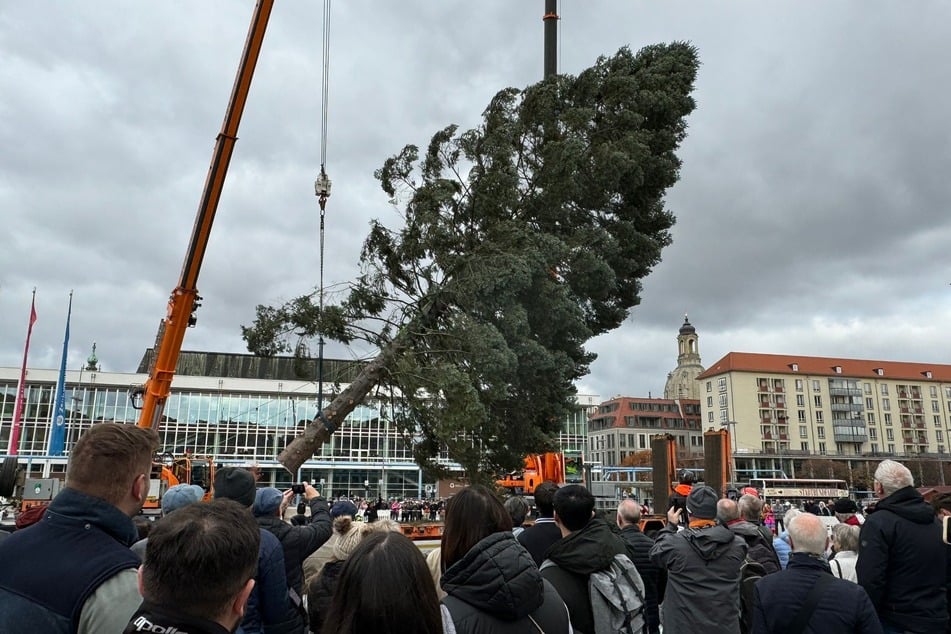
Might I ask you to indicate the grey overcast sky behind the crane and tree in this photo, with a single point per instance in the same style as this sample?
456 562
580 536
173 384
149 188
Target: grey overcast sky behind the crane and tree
812 208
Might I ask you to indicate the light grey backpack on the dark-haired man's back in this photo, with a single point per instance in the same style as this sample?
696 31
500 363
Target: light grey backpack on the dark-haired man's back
617 597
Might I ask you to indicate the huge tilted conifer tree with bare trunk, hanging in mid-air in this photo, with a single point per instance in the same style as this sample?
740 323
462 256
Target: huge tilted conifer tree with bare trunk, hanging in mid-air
521 239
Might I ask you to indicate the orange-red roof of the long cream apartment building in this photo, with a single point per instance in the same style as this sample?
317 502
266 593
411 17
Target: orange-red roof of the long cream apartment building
826 366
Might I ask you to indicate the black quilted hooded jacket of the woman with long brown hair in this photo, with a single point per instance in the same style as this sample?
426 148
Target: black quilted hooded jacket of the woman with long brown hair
496 587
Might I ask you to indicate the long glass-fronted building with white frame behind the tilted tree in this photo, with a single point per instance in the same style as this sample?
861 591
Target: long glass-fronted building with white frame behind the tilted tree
241 410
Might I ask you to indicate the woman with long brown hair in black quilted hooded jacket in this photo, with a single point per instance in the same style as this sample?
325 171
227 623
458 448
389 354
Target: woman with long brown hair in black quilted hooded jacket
491 581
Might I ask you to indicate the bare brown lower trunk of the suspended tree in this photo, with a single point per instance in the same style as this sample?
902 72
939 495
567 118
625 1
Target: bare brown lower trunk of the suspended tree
319 430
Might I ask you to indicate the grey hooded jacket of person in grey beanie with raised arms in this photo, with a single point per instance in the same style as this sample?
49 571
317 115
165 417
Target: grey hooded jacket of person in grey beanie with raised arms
703 578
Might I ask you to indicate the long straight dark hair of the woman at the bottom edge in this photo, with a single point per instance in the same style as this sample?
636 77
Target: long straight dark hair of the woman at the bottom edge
385 586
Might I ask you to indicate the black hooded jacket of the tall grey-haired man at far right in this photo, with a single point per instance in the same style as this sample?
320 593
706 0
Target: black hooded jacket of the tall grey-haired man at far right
900 546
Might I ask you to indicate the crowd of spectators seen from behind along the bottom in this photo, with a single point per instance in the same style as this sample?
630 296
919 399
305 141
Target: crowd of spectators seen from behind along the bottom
239 563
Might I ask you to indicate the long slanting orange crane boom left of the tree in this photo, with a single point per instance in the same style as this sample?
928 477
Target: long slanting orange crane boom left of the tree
184 300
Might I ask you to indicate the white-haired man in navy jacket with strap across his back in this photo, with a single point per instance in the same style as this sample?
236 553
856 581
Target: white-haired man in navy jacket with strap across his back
841 606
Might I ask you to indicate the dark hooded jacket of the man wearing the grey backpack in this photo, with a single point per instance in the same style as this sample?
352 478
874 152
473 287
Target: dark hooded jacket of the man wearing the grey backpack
575 557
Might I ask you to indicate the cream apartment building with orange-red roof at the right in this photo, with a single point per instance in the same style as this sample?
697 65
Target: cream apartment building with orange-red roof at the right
785 407
